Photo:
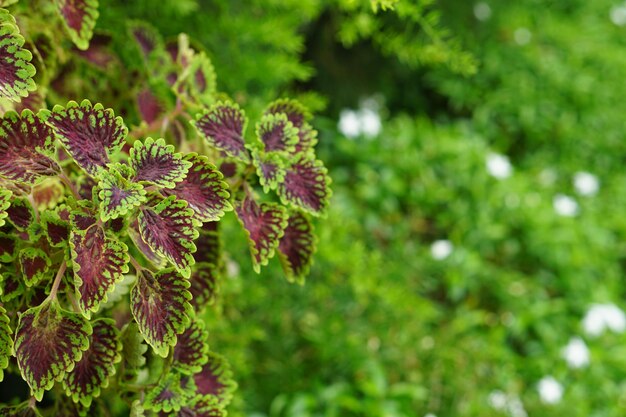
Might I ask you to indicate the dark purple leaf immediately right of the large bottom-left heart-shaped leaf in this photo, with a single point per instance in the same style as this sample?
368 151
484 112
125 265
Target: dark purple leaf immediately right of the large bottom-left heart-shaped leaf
97 365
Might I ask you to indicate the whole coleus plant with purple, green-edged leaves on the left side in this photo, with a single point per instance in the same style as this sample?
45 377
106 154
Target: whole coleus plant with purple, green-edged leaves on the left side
110 238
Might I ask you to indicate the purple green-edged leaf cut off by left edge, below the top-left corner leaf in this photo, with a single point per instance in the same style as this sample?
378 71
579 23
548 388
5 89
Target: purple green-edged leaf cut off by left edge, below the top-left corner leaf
26 147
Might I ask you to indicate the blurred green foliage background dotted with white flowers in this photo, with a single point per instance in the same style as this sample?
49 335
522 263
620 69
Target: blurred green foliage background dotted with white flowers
472 261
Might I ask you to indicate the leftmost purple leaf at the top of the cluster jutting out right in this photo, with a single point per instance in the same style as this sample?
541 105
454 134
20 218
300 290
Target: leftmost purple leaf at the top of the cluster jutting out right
223 126
